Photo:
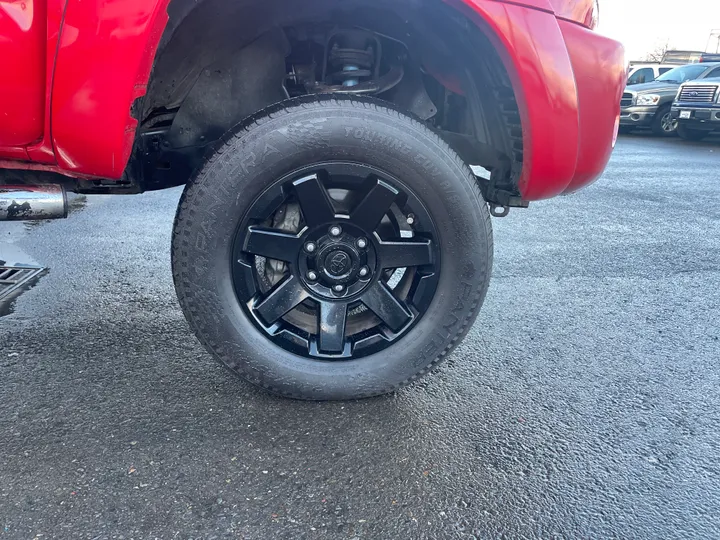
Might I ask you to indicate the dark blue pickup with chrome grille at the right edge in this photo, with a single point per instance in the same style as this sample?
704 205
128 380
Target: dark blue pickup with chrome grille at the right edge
697 109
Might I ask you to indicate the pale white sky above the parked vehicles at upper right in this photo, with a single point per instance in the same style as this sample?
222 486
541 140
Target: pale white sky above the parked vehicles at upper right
642 25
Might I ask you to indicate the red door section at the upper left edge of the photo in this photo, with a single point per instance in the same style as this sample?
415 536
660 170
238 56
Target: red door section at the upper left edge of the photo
22 71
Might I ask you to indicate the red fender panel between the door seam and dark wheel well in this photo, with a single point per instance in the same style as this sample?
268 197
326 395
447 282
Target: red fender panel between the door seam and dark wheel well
103 64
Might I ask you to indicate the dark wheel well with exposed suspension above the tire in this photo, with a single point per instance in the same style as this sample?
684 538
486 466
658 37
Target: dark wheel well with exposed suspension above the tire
219 62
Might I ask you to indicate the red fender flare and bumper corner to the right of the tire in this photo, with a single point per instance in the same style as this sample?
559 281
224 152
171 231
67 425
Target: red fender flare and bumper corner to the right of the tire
544 73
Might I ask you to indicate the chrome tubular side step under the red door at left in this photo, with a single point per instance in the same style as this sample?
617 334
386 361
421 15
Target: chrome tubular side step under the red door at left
30 203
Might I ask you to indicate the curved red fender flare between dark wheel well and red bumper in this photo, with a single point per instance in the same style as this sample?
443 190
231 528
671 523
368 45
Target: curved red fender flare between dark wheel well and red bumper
533 50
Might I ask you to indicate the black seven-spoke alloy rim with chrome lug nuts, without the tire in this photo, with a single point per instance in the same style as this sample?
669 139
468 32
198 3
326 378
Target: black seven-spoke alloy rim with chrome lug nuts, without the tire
358 269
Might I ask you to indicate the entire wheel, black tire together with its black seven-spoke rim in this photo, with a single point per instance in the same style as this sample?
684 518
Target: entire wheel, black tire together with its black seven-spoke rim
261 160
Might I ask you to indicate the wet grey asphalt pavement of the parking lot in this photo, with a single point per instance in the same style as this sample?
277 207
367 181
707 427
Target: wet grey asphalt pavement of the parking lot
584 403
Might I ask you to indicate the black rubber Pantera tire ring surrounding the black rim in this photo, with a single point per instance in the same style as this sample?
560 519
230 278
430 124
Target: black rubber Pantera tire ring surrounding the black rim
214 205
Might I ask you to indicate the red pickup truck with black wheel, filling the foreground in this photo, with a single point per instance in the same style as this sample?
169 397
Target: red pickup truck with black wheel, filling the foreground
333 240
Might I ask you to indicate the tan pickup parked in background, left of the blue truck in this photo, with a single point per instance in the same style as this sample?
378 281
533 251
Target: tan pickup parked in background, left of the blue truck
649 105
